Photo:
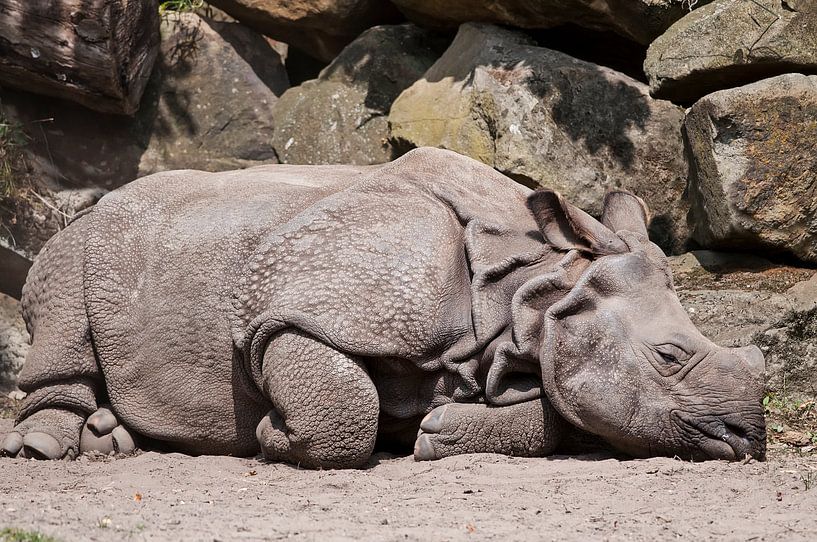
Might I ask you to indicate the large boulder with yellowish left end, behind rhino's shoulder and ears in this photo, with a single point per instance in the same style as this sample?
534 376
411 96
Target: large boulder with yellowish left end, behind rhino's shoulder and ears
547 119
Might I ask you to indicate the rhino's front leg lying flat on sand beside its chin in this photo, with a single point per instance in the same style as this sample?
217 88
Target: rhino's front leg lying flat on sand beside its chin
528 429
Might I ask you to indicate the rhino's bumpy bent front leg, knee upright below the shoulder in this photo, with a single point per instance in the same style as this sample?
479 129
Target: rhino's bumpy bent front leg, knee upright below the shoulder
326 406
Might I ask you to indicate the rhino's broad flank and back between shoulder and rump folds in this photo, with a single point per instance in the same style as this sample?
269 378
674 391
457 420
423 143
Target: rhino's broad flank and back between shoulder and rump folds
161 261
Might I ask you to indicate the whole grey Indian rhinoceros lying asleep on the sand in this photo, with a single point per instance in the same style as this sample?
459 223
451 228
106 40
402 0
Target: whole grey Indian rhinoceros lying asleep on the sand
308 311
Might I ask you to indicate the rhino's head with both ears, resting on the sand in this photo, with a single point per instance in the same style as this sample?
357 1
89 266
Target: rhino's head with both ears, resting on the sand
621 359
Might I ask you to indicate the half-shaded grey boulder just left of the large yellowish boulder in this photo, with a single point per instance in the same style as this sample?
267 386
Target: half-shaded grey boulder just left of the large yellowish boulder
340 117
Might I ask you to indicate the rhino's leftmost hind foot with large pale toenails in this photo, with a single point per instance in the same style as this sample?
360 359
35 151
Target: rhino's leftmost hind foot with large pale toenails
50 433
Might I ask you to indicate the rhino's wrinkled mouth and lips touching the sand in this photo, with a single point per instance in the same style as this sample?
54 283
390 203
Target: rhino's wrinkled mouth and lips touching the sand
722 438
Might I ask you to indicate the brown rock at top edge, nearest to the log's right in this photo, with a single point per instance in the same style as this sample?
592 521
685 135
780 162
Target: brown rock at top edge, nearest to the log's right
320 28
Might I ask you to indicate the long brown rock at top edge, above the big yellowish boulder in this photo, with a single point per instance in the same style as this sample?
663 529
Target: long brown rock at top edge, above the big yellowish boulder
639 20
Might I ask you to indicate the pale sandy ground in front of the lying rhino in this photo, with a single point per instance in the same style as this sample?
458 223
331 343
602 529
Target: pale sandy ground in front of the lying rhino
478 497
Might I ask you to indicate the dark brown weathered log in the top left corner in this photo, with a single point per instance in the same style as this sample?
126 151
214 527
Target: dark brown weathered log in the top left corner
98 53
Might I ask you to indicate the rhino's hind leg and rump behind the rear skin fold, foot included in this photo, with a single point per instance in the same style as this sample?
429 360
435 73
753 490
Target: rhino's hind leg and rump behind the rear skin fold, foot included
61 374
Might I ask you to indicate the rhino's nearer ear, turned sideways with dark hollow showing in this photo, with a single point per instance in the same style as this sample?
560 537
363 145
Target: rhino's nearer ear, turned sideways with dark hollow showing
567 227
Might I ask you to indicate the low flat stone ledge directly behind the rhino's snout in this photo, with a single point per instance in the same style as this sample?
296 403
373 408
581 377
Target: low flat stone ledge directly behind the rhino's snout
746 302
